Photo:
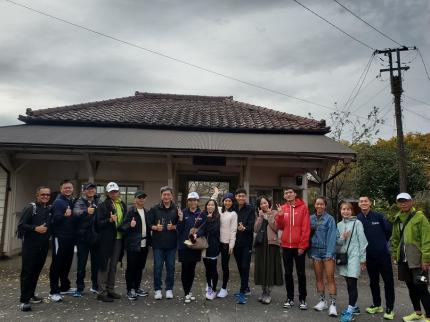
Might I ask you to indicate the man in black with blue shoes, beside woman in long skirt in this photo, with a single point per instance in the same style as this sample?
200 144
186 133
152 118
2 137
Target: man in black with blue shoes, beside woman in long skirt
244 237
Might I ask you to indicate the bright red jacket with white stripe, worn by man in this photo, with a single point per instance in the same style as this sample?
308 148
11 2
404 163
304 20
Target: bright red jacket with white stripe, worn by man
294 221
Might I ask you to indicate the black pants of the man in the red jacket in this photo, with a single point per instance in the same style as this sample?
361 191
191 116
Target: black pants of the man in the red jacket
289 256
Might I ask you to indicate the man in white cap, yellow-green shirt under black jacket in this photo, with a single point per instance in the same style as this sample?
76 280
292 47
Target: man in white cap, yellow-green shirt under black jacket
110 215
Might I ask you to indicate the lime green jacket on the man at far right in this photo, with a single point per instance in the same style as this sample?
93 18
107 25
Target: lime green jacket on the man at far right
416 238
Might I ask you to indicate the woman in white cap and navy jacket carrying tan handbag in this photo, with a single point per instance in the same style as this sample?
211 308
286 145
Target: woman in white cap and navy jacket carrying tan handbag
189 218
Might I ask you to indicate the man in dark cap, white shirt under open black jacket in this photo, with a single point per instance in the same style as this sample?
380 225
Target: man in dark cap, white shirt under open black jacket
137 238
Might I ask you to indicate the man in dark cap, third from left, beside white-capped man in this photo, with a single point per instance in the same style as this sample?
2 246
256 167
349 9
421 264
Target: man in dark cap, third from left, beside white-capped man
84 210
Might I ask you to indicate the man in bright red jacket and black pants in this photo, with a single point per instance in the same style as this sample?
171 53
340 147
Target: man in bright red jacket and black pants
293 219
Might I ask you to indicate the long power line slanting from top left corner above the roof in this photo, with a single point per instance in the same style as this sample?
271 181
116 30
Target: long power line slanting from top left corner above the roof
124 42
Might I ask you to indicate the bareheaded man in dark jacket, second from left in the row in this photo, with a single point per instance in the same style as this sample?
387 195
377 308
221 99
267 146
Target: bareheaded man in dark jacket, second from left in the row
63 230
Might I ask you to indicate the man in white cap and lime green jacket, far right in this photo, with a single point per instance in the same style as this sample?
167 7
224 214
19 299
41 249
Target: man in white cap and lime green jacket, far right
411 251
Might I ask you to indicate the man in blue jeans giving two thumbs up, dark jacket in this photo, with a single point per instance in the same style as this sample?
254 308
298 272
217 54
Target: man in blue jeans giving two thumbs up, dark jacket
163 220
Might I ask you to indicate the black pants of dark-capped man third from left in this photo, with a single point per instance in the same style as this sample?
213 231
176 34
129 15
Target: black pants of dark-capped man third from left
84 248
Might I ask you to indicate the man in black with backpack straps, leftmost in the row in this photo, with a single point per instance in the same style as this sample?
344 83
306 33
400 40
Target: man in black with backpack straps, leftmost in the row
33 227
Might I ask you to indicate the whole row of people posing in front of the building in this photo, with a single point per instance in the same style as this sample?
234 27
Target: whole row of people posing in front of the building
283 234
